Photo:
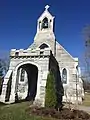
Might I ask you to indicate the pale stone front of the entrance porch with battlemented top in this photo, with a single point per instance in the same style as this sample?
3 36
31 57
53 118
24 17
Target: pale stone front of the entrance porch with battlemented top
39 58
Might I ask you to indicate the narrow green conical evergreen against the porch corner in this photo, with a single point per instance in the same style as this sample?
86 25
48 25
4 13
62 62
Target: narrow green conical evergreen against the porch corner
50 97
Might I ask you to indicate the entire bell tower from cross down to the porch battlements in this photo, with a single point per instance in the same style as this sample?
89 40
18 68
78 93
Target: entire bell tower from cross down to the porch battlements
45 31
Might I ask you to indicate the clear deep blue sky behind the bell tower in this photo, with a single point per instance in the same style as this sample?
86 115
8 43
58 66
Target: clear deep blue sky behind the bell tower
18 20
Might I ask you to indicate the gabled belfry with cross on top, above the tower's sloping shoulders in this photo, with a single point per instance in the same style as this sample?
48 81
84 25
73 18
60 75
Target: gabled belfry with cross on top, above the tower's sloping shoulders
45 21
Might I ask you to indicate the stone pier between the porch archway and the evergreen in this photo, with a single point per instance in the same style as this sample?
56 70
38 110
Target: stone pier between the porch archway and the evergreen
41 83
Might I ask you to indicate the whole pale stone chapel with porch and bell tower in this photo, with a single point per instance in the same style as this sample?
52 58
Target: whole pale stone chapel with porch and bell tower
28 70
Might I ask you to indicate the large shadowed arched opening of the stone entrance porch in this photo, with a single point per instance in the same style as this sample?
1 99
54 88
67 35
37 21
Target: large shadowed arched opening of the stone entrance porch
27 75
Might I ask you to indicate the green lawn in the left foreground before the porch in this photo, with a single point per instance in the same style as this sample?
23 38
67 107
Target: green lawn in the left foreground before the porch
18 112
